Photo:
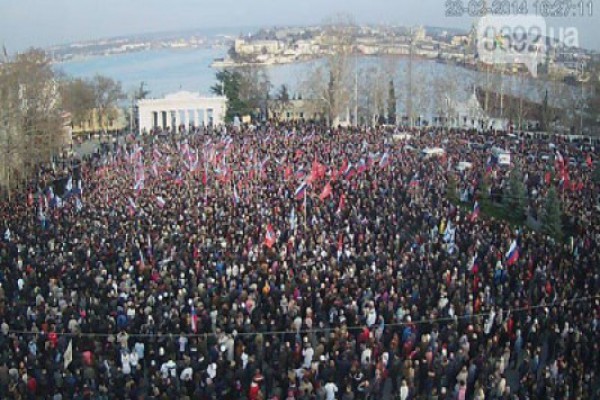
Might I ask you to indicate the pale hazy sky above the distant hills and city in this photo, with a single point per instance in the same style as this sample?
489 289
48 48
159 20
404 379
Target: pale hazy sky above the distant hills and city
25 23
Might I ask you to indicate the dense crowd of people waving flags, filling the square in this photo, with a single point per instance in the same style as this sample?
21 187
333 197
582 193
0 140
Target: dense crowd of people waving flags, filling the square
301 262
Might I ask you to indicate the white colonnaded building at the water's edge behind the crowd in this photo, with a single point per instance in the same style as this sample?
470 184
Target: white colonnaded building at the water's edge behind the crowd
181 109
